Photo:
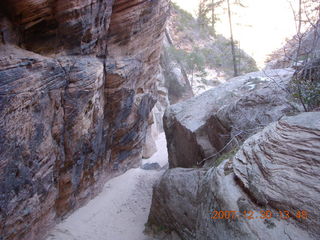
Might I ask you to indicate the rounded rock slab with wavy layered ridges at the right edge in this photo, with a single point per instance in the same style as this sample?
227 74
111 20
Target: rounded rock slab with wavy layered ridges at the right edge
280 166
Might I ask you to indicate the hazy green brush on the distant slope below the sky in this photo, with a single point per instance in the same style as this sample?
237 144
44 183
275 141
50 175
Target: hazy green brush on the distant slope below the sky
211 53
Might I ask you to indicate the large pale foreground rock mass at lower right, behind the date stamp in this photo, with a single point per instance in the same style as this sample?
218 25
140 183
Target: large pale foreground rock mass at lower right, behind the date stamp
275 170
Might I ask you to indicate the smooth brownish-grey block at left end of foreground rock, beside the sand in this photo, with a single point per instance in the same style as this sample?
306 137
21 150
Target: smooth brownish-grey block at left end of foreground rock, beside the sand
175 201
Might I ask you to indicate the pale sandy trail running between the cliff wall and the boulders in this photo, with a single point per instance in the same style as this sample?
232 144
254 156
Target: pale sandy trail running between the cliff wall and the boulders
120 211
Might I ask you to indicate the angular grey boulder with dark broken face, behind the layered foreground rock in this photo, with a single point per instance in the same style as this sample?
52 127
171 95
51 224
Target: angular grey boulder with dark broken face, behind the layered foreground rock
202 127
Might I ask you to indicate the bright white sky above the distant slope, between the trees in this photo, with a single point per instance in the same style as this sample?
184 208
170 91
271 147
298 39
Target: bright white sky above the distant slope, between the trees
260 28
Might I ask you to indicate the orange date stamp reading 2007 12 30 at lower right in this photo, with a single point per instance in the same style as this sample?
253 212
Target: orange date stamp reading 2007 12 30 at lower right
254 215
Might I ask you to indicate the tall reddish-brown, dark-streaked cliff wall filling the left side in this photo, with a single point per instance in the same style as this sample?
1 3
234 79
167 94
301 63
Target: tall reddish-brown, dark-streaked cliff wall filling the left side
77 85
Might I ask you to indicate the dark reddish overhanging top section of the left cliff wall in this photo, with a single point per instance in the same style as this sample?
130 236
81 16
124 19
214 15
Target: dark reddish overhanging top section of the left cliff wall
77 27
